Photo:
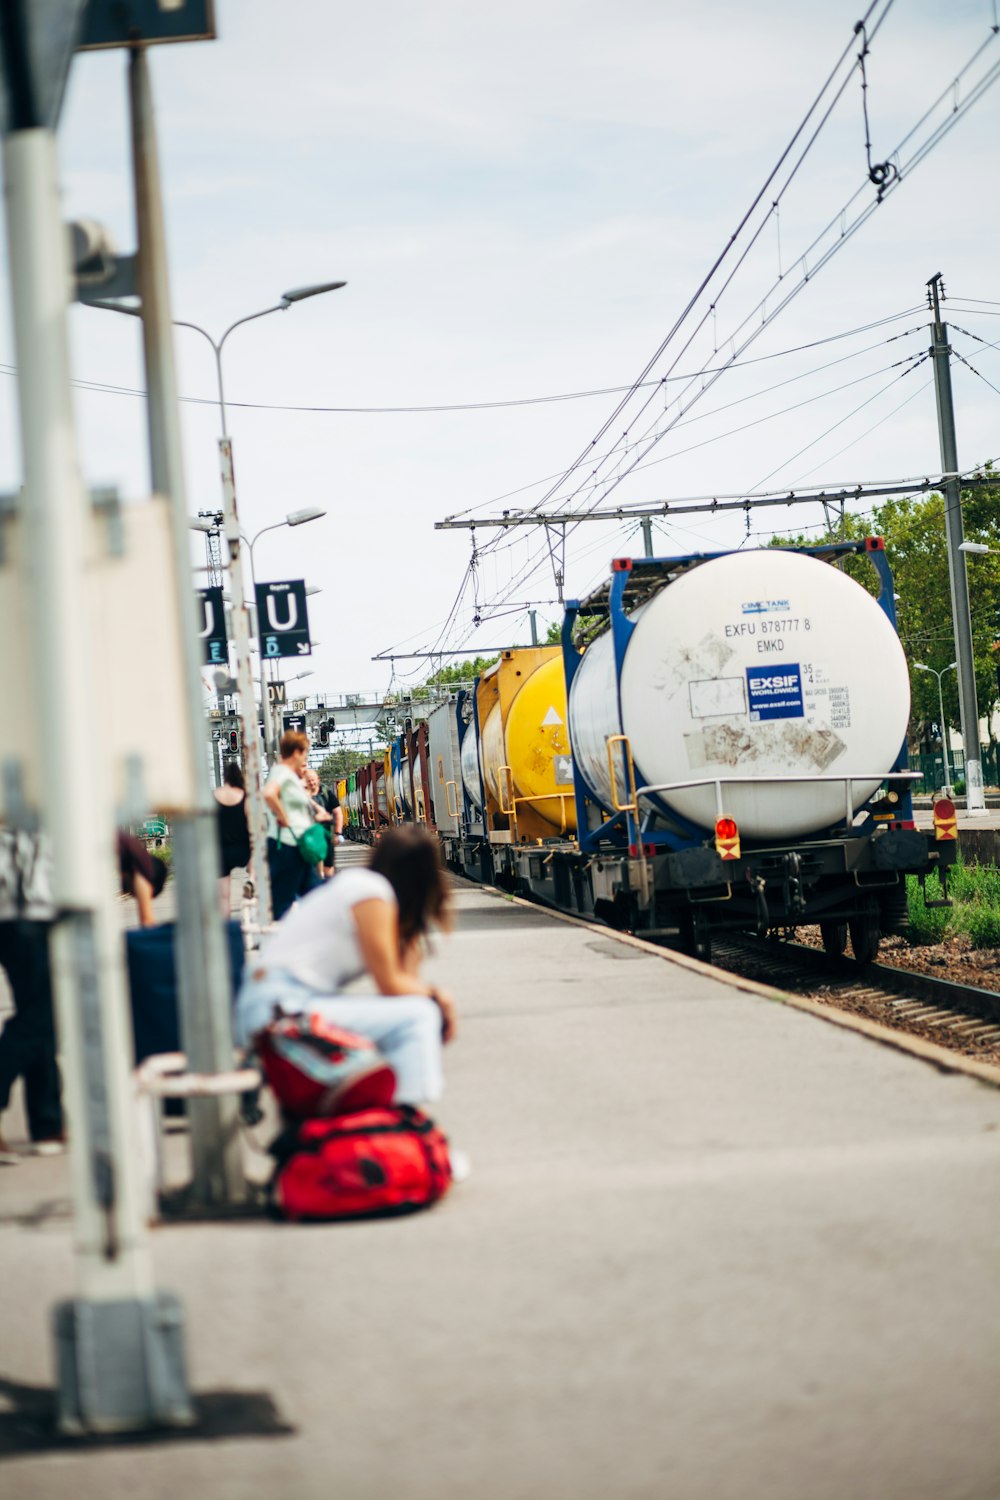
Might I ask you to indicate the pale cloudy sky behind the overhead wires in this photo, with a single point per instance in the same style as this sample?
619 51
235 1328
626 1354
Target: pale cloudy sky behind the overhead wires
522 202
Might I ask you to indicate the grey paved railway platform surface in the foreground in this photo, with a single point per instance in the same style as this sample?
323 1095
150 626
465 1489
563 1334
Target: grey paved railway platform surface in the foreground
714 1247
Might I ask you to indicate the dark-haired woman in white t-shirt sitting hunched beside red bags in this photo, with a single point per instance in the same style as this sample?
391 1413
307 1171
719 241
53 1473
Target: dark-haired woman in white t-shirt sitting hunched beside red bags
367 922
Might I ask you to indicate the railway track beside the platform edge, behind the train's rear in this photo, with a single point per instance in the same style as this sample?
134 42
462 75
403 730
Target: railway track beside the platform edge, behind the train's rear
957 1016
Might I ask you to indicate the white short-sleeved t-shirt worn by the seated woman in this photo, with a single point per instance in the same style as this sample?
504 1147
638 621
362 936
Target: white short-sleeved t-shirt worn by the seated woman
317 941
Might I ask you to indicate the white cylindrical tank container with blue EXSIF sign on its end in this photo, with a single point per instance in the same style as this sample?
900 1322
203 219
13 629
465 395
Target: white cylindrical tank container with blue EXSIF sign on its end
756 665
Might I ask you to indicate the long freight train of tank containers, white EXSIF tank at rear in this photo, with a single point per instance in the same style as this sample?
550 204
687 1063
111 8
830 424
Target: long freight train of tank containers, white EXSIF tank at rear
717 746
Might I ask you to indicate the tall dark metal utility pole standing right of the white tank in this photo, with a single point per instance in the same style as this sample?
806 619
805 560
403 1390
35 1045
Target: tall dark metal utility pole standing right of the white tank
954 532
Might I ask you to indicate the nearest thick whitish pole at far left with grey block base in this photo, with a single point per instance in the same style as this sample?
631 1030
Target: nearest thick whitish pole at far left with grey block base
119 1343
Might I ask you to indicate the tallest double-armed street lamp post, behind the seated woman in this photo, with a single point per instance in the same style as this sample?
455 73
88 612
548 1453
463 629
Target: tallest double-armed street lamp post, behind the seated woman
241 617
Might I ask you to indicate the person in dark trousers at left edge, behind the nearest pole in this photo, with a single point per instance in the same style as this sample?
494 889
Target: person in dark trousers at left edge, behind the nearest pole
28 1043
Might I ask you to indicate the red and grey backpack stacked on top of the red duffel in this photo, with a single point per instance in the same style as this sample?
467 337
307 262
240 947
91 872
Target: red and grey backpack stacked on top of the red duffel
319 1070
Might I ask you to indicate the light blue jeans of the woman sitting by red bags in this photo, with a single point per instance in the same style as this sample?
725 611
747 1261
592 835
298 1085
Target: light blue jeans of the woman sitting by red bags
406 1028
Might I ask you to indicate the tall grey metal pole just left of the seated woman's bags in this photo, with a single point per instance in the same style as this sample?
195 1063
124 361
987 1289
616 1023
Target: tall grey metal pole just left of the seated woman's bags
203 961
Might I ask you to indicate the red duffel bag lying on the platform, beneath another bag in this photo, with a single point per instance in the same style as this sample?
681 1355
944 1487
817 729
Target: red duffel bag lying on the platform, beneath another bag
371 1163
